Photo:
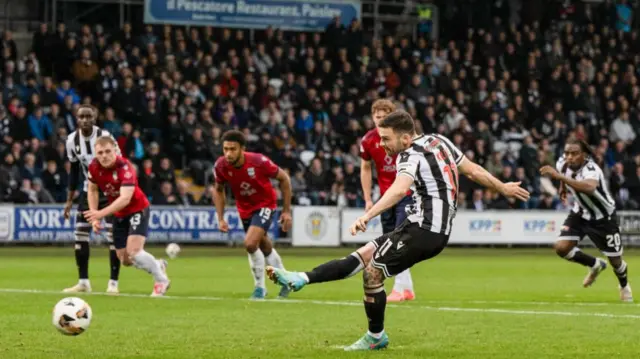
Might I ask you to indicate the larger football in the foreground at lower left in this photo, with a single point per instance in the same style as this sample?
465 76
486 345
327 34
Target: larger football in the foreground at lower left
72 316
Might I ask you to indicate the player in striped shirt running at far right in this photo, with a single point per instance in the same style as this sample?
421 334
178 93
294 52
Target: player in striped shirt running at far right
593 215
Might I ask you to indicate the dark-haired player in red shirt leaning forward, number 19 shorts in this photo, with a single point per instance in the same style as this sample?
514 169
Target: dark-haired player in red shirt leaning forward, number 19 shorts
249 176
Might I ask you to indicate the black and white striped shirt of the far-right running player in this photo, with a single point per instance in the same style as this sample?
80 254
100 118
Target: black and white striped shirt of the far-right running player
594 206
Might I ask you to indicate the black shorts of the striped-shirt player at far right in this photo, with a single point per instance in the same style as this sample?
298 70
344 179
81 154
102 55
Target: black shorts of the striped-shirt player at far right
604 233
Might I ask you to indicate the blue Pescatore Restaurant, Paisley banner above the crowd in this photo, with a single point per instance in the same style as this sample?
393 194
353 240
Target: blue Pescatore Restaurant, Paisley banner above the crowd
310 15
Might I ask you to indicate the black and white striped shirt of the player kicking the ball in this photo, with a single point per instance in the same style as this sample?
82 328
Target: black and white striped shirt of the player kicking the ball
432 161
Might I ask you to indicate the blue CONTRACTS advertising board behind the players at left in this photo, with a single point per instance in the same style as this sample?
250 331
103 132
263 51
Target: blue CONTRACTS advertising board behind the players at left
166 224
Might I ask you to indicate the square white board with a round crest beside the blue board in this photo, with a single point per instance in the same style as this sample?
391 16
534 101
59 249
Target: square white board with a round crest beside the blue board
316 227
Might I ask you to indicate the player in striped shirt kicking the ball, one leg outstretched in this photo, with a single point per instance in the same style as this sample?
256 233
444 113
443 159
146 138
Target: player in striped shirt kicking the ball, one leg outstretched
428 165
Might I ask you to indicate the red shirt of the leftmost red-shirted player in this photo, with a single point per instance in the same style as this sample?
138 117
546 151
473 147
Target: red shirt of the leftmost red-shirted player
110 180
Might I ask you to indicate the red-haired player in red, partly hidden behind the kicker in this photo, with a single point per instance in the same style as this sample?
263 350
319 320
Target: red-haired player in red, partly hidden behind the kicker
370 150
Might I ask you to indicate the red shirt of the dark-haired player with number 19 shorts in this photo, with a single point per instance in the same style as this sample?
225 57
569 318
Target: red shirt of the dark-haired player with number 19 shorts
250 183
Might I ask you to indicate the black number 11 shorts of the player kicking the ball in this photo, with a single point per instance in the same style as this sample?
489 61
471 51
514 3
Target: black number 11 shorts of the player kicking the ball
405 246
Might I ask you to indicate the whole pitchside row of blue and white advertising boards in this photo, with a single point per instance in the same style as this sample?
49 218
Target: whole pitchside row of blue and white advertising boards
312 226
